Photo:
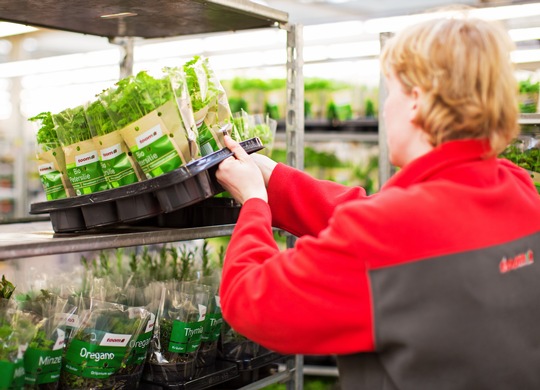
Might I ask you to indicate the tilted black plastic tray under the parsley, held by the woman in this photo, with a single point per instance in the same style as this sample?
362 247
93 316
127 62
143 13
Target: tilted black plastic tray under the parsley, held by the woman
185 186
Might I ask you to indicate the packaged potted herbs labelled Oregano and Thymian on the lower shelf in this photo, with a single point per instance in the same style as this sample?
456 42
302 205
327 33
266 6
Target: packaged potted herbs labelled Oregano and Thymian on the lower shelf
146 314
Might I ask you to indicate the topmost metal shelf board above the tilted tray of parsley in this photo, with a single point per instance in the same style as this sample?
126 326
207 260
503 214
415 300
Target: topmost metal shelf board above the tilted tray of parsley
146 19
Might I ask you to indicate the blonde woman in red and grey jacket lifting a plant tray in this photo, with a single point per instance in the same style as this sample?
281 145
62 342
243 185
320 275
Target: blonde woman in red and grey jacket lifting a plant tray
431 283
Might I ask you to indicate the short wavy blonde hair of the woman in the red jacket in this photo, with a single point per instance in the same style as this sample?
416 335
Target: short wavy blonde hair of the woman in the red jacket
463 67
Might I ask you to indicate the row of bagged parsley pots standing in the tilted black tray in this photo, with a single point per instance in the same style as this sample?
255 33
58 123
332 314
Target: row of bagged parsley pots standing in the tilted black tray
139 128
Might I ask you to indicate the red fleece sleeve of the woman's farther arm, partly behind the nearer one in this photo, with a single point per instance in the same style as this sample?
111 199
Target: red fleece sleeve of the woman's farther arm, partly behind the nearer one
303 205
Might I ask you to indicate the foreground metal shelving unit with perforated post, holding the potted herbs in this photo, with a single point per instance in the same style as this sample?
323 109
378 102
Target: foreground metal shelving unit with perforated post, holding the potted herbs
122 21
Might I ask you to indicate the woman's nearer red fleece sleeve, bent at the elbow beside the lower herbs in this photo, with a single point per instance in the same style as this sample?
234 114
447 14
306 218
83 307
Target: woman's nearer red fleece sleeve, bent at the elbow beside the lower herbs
313 299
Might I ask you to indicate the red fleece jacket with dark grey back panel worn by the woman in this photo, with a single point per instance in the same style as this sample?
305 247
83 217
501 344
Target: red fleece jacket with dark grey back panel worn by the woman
451 237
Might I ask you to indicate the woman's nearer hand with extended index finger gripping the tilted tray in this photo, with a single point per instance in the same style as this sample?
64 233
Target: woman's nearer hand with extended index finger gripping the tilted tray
240 175
